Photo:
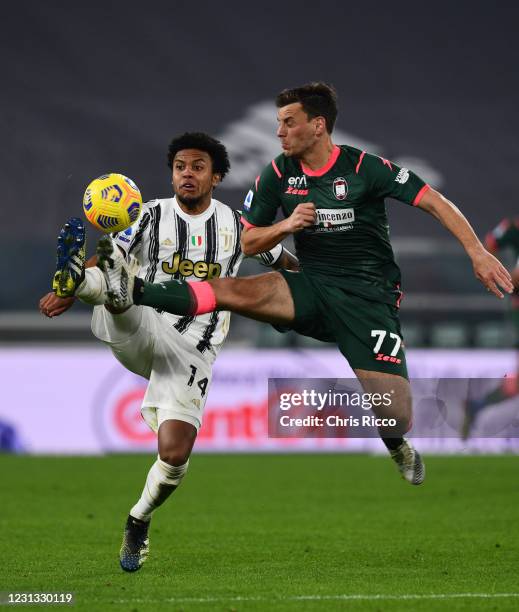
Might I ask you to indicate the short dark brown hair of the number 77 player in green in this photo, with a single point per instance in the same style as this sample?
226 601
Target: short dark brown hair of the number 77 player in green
318 99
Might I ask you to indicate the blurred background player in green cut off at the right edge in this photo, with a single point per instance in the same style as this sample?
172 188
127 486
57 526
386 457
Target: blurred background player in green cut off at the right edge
504 237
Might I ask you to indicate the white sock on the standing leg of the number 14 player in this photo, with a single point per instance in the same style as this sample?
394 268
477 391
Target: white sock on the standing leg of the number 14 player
162 480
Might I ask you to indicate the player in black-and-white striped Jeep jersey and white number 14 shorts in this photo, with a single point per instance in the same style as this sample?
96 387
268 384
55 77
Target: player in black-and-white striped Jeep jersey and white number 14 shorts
190 236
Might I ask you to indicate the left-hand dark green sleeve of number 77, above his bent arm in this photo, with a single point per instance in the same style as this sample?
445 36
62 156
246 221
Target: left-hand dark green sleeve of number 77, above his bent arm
263 199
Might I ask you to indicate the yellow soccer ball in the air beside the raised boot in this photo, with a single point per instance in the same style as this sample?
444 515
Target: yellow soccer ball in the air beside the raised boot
112 202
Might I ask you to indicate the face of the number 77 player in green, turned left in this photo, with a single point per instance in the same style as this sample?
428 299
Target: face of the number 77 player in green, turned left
296 131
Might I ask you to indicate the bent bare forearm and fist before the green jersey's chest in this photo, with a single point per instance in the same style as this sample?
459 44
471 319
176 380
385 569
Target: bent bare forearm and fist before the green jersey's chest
256 240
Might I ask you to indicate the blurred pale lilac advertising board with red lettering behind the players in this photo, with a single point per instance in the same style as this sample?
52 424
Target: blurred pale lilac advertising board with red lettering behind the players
82 401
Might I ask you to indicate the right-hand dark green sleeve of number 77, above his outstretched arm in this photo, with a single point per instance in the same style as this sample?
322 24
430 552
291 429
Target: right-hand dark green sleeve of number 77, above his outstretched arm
385 179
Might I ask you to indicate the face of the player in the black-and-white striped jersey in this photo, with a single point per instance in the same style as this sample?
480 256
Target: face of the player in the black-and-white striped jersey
192 177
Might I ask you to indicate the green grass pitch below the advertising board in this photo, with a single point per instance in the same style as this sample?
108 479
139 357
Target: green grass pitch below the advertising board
252 532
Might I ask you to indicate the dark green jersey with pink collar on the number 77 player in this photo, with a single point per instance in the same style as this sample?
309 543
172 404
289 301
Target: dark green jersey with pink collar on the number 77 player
349 246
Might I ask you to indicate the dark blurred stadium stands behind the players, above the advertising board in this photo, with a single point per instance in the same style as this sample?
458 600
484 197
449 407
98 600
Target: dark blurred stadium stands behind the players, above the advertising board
90 88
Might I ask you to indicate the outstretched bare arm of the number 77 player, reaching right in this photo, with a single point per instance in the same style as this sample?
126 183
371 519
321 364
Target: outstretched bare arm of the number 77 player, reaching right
487 268
